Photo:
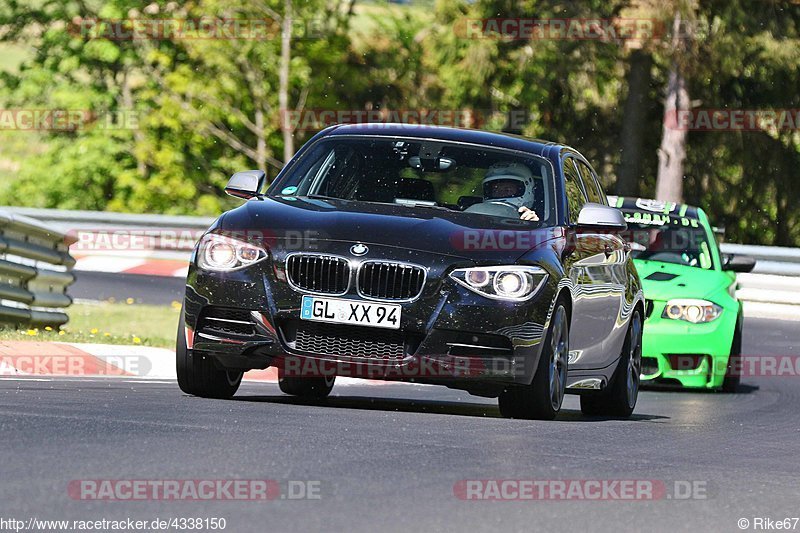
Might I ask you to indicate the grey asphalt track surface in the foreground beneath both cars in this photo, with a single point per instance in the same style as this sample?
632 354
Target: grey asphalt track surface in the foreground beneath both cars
388 456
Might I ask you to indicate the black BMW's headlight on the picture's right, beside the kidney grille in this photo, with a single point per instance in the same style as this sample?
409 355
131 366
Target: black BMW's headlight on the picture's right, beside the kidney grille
512 282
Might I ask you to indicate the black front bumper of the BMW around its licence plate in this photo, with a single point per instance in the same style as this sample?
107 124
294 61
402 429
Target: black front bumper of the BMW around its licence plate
448 335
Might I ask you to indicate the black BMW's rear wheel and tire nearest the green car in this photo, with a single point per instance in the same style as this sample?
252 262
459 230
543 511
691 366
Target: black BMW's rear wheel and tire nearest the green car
619 398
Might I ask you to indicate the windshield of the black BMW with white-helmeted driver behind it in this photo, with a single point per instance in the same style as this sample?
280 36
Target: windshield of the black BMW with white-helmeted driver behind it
424 172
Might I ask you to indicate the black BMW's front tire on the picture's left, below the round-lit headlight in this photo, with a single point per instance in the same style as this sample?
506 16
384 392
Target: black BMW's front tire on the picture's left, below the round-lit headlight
198 375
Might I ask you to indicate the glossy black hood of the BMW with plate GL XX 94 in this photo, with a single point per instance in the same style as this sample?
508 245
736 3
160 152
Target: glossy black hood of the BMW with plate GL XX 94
438 231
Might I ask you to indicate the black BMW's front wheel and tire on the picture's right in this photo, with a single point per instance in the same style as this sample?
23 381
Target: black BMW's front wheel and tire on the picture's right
542 399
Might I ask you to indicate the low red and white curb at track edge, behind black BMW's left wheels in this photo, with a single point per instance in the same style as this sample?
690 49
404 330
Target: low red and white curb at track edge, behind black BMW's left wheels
61 359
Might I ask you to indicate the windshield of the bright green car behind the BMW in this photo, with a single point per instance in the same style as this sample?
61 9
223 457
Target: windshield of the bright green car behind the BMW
669 239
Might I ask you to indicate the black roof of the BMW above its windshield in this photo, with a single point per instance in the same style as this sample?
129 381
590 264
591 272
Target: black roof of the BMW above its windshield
499 140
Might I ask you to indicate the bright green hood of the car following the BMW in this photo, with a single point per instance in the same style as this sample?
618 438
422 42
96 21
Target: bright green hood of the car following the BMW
665 281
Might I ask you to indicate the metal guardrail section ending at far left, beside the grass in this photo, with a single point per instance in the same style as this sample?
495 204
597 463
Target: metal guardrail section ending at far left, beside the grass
35 266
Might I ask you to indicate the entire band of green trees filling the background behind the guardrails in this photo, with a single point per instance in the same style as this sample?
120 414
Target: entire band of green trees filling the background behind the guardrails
199 109
